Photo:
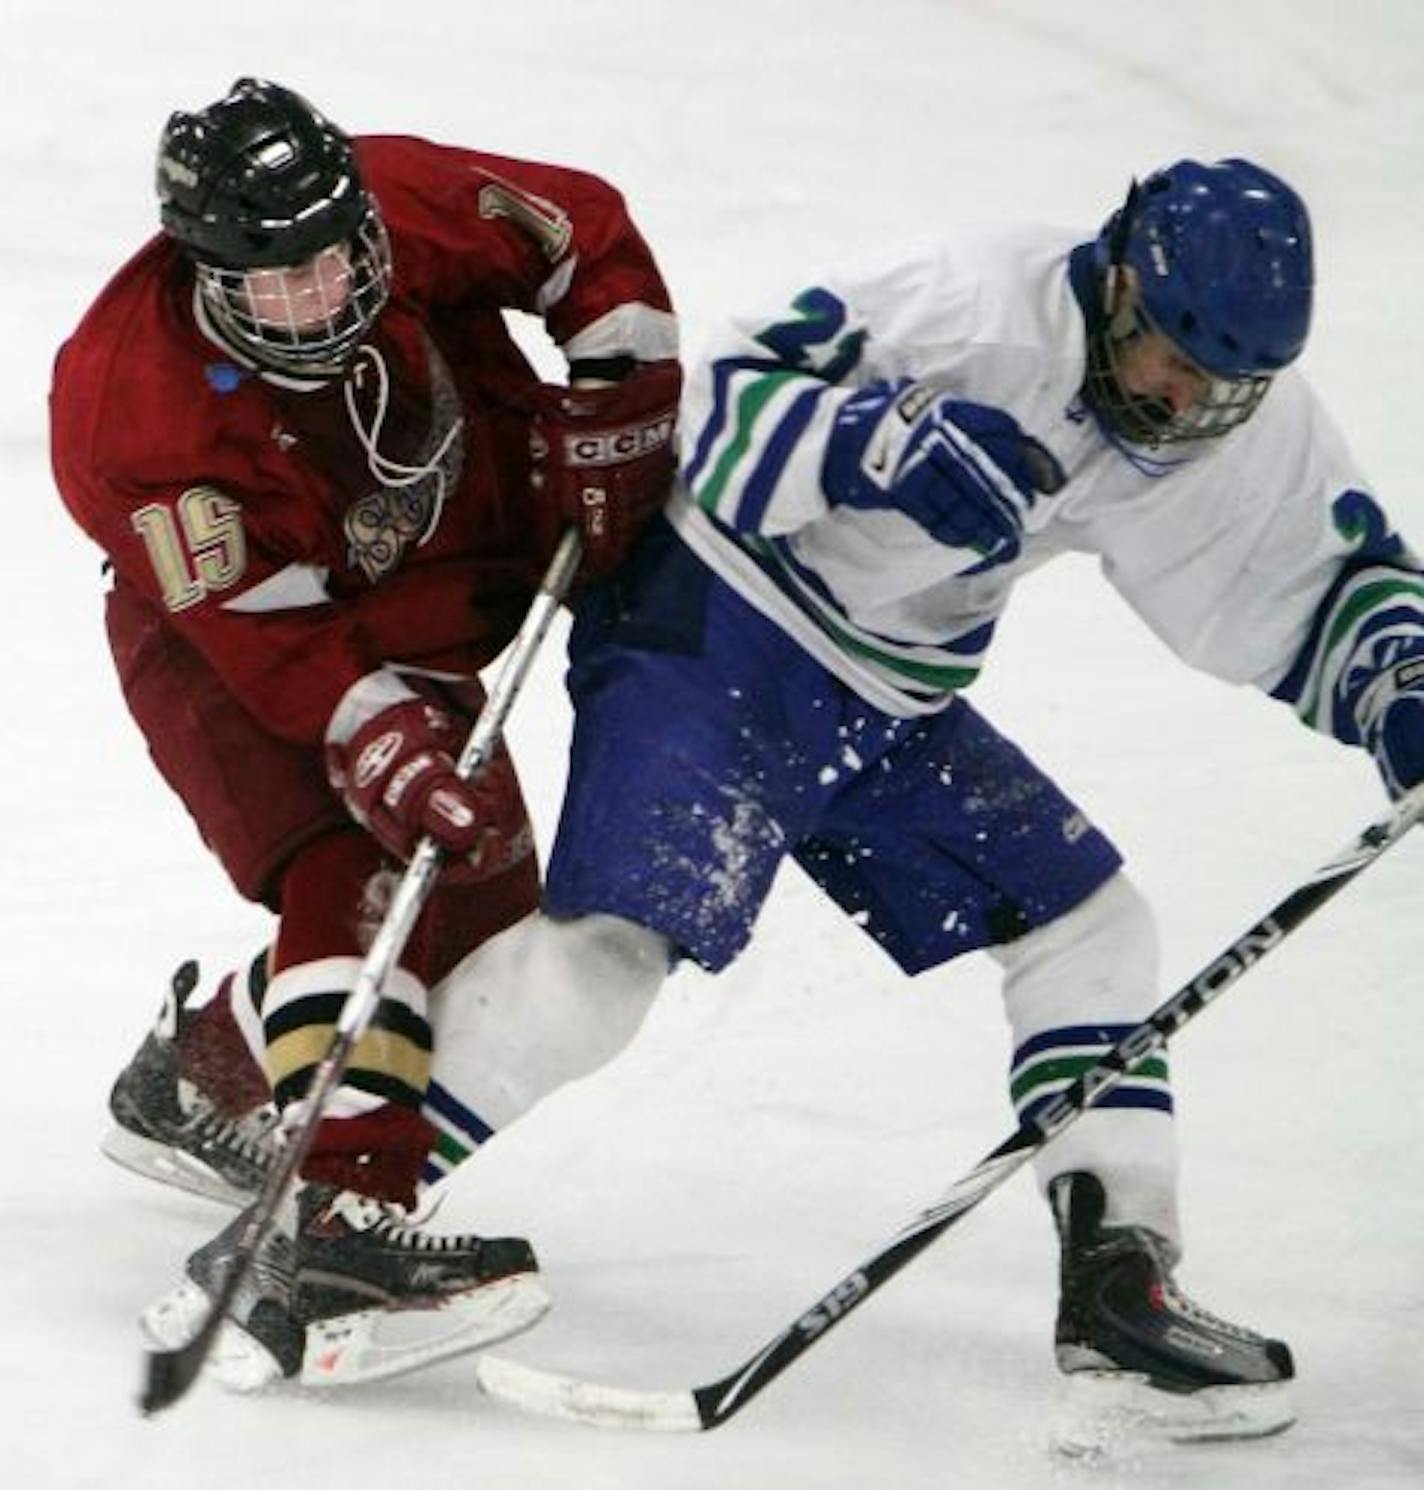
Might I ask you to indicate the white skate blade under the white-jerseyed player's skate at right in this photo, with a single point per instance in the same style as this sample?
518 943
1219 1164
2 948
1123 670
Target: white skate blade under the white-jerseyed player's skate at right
1107 1412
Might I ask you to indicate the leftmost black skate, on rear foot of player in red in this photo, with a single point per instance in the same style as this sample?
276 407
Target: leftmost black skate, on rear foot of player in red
172 1132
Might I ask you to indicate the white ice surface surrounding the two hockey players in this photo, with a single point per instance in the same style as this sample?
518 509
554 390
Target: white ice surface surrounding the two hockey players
772 1126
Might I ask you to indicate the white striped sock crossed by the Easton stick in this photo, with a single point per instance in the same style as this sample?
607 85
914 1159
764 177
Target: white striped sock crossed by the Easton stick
1072 992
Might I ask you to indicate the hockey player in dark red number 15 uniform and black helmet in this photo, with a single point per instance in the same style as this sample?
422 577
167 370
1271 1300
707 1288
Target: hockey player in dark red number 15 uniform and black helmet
327 484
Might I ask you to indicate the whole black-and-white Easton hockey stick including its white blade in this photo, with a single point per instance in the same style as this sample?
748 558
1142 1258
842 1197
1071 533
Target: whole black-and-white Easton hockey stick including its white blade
555 1395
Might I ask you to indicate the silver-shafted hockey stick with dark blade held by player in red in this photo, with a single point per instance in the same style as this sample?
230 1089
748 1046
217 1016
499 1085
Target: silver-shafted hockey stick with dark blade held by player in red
171 1373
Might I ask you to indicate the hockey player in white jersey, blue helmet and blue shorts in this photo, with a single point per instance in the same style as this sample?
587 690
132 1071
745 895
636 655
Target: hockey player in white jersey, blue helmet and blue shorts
869 469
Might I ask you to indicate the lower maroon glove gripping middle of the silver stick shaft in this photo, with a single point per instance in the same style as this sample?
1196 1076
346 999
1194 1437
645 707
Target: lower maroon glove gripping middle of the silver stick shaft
397 776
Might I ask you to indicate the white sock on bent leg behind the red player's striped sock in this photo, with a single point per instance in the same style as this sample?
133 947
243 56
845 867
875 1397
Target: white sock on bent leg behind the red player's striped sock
540 1005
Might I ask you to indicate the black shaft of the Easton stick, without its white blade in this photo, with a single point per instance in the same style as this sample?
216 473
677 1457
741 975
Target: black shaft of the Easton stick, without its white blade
722 1400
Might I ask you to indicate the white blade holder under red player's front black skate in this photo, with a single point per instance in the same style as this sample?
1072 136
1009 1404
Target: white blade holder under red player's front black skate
387 1343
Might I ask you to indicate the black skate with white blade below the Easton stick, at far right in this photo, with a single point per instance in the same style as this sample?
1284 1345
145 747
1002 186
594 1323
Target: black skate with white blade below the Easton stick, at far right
1131 1339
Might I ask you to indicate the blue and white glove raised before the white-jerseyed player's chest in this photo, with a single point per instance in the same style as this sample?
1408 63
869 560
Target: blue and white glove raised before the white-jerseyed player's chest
966 473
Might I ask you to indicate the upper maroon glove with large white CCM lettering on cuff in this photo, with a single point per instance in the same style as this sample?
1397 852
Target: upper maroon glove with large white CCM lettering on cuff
604 461
